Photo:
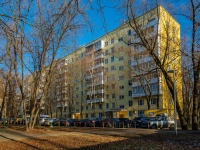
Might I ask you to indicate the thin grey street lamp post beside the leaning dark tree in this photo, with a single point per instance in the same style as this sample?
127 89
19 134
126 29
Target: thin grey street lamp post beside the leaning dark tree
175 116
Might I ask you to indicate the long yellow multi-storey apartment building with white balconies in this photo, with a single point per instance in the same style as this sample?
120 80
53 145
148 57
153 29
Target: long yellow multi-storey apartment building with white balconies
114 76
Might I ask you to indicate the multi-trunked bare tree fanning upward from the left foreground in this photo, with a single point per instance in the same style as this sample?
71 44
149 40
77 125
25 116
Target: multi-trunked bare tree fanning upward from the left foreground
36 39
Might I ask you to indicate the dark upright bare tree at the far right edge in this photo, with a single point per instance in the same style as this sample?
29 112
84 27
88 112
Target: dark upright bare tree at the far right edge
191 11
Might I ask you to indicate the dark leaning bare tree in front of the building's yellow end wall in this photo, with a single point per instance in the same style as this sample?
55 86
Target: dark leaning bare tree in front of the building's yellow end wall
141 26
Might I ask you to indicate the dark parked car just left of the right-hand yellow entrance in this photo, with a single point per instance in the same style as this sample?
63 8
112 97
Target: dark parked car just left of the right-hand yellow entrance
111 122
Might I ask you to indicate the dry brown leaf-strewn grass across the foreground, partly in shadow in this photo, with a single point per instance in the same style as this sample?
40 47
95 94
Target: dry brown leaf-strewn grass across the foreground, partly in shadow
86 138
